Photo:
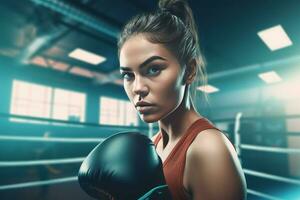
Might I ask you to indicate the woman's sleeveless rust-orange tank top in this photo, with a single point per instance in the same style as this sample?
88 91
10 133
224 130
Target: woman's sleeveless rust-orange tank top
174 164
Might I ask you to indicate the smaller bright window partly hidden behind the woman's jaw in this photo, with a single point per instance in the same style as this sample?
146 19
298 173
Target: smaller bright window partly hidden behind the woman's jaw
117 112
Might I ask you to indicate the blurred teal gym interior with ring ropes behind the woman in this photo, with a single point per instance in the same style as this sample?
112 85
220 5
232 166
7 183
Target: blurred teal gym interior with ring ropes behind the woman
56 105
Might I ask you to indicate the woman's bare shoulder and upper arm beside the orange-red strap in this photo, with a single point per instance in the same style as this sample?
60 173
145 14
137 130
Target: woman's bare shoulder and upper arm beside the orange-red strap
213 171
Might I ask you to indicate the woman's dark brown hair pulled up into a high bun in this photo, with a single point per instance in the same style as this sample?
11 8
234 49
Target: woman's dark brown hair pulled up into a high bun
173 26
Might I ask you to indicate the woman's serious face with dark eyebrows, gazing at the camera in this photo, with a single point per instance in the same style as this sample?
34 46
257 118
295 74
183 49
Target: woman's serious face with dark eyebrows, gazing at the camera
153 78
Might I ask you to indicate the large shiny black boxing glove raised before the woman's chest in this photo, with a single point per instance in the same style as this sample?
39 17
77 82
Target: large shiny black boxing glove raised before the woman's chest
124 166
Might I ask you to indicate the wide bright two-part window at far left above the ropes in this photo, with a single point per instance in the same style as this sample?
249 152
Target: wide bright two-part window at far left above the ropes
35 100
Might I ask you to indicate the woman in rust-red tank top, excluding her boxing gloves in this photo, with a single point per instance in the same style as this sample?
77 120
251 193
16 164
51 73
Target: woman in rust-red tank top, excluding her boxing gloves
160 63
